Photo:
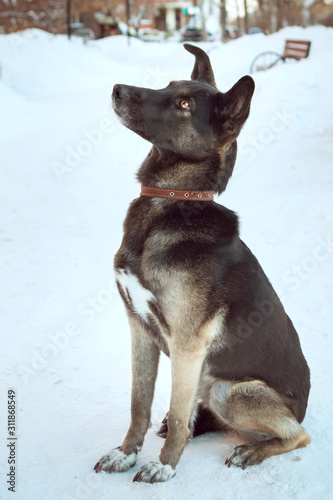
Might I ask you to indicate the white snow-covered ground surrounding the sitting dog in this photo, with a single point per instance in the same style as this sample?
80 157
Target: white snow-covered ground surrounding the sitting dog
67 176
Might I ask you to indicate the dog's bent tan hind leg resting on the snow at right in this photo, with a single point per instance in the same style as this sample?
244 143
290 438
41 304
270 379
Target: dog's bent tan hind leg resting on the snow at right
261 414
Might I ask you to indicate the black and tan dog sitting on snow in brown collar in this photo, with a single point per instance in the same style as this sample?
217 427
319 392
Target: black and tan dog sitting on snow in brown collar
193 290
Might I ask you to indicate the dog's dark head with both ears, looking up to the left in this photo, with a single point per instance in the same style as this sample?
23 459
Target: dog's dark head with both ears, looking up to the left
190 118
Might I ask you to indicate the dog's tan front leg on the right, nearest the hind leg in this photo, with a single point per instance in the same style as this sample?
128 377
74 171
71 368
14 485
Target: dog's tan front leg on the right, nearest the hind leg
186 368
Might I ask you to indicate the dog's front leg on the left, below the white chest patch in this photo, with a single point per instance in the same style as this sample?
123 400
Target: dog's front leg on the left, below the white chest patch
145 358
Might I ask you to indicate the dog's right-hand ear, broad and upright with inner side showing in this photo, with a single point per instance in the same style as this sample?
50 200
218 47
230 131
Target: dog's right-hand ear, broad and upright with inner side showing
233 107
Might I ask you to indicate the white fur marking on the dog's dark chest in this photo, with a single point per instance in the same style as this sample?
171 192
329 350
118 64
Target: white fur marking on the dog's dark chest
139 296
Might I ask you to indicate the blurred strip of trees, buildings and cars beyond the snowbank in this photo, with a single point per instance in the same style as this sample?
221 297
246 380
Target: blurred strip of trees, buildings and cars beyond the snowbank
163 19
